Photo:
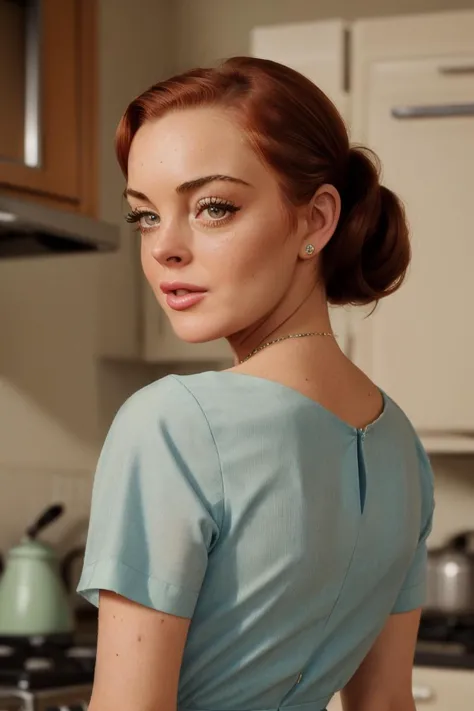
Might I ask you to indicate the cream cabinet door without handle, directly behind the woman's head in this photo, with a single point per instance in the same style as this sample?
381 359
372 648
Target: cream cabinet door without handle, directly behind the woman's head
319 51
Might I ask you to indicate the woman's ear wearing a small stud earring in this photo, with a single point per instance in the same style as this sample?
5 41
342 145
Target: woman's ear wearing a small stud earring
323 215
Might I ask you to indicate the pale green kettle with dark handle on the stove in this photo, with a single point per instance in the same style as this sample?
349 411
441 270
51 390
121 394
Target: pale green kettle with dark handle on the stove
33 596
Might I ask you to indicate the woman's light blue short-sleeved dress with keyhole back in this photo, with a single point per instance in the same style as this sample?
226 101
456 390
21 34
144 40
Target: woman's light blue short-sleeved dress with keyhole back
286 535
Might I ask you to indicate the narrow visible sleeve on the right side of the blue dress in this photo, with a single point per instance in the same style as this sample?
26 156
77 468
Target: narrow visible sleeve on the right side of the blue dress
412 594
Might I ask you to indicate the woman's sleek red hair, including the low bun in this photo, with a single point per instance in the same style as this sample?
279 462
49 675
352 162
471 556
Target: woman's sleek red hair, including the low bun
298 132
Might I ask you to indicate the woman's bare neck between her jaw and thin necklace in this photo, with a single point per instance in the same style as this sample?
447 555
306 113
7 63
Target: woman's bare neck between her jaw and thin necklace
300 315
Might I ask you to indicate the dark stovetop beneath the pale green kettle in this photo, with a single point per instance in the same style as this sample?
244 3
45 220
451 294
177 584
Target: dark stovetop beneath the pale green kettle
45 674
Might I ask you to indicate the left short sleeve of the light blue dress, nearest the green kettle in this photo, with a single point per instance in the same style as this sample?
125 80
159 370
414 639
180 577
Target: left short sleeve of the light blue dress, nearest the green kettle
157 502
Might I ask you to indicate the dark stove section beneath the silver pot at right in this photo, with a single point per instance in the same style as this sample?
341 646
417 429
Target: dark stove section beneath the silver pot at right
445 641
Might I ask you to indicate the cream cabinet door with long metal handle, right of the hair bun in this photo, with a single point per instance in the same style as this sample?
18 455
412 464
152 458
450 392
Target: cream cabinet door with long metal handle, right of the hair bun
419 345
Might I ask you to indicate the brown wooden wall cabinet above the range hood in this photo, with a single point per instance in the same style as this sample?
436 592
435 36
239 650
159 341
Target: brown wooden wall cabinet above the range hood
48 97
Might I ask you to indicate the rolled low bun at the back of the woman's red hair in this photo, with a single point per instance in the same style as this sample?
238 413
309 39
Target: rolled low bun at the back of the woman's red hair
368 255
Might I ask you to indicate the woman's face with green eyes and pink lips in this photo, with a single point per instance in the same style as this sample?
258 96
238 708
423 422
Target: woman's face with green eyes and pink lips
216 246
